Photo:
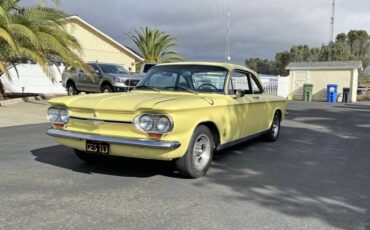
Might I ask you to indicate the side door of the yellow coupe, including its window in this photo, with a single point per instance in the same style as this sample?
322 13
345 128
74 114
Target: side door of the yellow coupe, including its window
242 122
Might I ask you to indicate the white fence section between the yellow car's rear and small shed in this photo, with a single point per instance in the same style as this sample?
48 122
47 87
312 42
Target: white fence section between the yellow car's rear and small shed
275 85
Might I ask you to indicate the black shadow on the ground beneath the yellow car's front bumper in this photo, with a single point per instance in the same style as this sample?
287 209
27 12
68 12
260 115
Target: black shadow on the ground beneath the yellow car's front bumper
64 157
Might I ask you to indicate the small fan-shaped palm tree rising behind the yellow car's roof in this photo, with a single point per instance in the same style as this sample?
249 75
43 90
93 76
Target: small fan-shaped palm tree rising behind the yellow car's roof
154 45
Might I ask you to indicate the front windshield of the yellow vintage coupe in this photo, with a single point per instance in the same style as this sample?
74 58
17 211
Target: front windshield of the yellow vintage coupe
190 78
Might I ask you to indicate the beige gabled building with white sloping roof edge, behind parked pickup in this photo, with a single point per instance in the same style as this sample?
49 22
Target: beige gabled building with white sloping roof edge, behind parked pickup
97 46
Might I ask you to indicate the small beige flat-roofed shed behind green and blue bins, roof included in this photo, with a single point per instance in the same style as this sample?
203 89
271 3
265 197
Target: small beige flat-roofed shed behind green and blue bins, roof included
320 74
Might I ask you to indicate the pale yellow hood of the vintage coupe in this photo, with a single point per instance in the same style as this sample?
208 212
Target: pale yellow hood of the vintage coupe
132 101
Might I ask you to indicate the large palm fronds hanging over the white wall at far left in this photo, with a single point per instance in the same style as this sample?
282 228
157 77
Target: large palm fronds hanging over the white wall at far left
36 34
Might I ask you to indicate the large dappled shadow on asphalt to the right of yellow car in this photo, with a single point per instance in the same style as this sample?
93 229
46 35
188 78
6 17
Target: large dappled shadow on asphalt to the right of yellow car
318 169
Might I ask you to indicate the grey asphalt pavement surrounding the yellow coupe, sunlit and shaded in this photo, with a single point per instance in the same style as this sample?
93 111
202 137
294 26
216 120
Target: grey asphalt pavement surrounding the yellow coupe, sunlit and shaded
317 176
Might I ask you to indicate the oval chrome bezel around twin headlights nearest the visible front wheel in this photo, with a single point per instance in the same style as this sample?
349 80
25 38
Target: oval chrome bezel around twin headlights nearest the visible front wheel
154 128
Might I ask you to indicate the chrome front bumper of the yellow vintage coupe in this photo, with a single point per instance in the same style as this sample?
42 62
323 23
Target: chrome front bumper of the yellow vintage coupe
114 140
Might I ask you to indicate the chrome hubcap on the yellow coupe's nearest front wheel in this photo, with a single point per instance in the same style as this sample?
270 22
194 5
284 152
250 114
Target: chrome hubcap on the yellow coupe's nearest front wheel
201 152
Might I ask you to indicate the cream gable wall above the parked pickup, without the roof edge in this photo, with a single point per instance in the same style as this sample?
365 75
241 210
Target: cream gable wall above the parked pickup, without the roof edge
97 48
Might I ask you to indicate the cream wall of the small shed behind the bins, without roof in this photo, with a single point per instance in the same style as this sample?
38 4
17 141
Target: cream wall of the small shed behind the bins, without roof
320 79
